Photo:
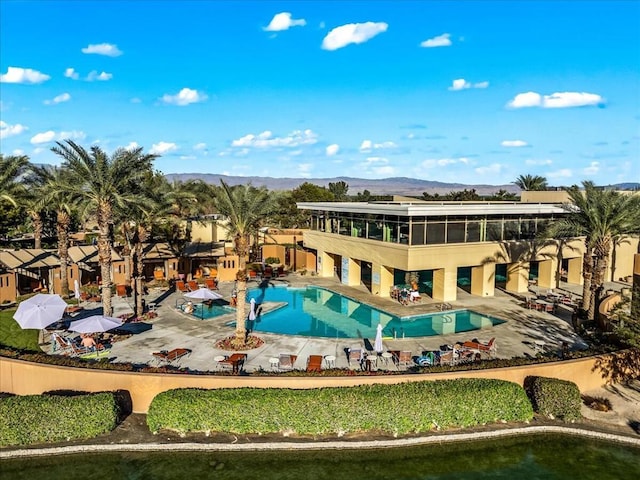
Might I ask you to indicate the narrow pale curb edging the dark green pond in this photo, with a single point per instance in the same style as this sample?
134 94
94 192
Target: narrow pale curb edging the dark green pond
331 445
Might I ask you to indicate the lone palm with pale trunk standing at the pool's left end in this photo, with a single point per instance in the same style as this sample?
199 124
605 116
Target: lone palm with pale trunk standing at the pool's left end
245 208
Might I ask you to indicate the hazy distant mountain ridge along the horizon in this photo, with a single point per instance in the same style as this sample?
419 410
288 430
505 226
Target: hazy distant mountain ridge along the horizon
384 186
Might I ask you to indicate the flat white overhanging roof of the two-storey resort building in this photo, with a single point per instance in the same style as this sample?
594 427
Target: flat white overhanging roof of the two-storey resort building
427 209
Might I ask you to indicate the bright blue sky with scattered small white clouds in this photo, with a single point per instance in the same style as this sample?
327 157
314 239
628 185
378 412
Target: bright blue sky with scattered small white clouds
470 92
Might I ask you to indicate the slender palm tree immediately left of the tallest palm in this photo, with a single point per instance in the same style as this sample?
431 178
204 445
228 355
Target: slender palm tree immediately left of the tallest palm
55 195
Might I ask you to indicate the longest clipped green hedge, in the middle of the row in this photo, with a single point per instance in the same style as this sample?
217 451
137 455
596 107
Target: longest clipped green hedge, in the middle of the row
393 409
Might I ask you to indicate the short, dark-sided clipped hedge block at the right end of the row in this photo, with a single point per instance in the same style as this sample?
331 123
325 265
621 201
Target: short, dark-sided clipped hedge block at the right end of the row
554 398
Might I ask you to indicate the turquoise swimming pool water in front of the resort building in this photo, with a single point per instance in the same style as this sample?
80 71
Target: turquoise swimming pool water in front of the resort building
316 312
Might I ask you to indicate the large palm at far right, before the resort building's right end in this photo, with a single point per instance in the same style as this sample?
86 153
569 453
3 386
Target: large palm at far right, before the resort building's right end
602 217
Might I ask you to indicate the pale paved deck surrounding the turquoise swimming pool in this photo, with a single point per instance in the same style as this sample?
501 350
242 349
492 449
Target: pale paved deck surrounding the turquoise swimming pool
516 337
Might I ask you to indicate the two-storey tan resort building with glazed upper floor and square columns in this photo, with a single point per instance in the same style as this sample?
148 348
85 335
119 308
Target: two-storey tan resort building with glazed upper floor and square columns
443 246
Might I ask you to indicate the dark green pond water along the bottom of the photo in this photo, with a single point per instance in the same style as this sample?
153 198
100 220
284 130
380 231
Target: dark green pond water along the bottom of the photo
525 457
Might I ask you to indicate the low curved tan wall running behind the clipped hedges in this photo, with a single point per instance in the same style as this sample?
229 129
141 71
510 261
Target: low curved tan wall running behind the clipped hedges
26 378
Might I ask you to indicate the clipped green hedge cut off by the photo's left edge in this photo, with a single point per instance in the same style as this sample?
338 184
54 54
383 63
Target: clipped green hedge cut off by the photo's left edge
30 419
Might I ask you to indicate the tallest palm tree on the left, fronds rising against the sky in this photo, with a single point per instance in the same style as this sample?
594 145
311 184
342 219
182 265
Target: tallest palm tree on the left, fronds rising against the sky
104 184
